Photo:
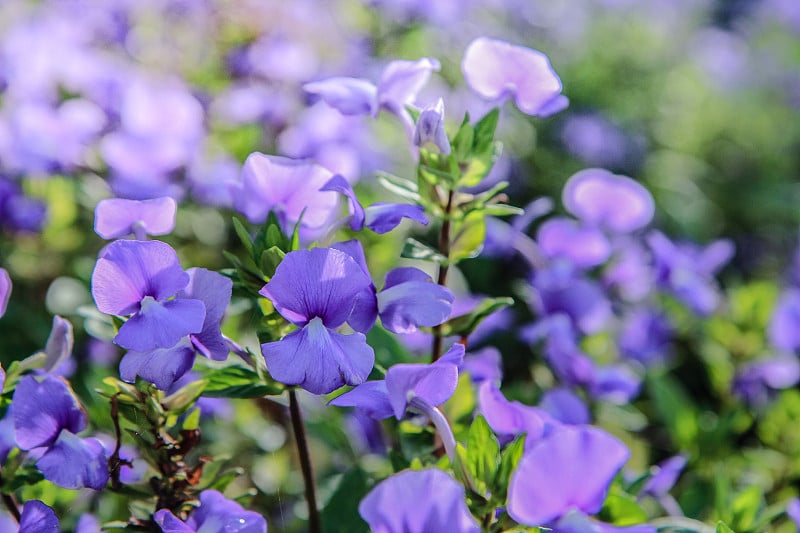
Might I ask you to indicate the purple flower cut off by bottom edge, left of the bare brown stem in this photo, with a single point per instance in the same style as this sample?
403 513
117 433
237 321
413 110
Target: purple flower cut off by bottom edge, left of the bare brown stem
215 513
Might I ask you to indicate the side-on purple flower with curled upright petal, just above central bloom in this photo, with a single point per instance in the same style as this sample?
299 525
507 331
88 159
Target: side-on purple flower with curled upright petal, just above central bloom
379 217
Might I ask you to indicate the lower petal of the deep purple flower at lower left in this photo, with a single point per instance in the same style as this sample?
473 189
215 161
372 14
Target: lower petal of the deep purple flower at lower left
73 463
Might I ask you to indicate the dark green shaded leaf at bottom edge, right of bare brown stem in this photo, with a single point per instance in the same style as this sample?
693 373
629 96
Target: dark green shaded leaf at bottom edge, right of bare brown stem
340 513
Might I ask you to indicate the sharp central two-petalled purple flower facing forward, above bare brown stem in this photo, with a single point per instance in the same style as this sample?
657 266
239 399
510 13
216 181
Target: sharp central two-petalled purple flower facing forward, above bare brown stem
317 291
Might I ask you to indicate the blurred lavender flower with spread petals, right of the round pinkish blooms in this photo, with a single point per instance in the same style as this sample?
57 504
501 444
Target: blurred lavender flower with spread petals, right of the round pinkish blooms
687 271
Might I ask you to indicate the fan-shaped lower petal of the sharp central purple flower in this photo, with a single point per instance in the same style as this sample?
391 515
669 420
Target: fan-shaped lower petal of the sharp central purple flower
318 359
